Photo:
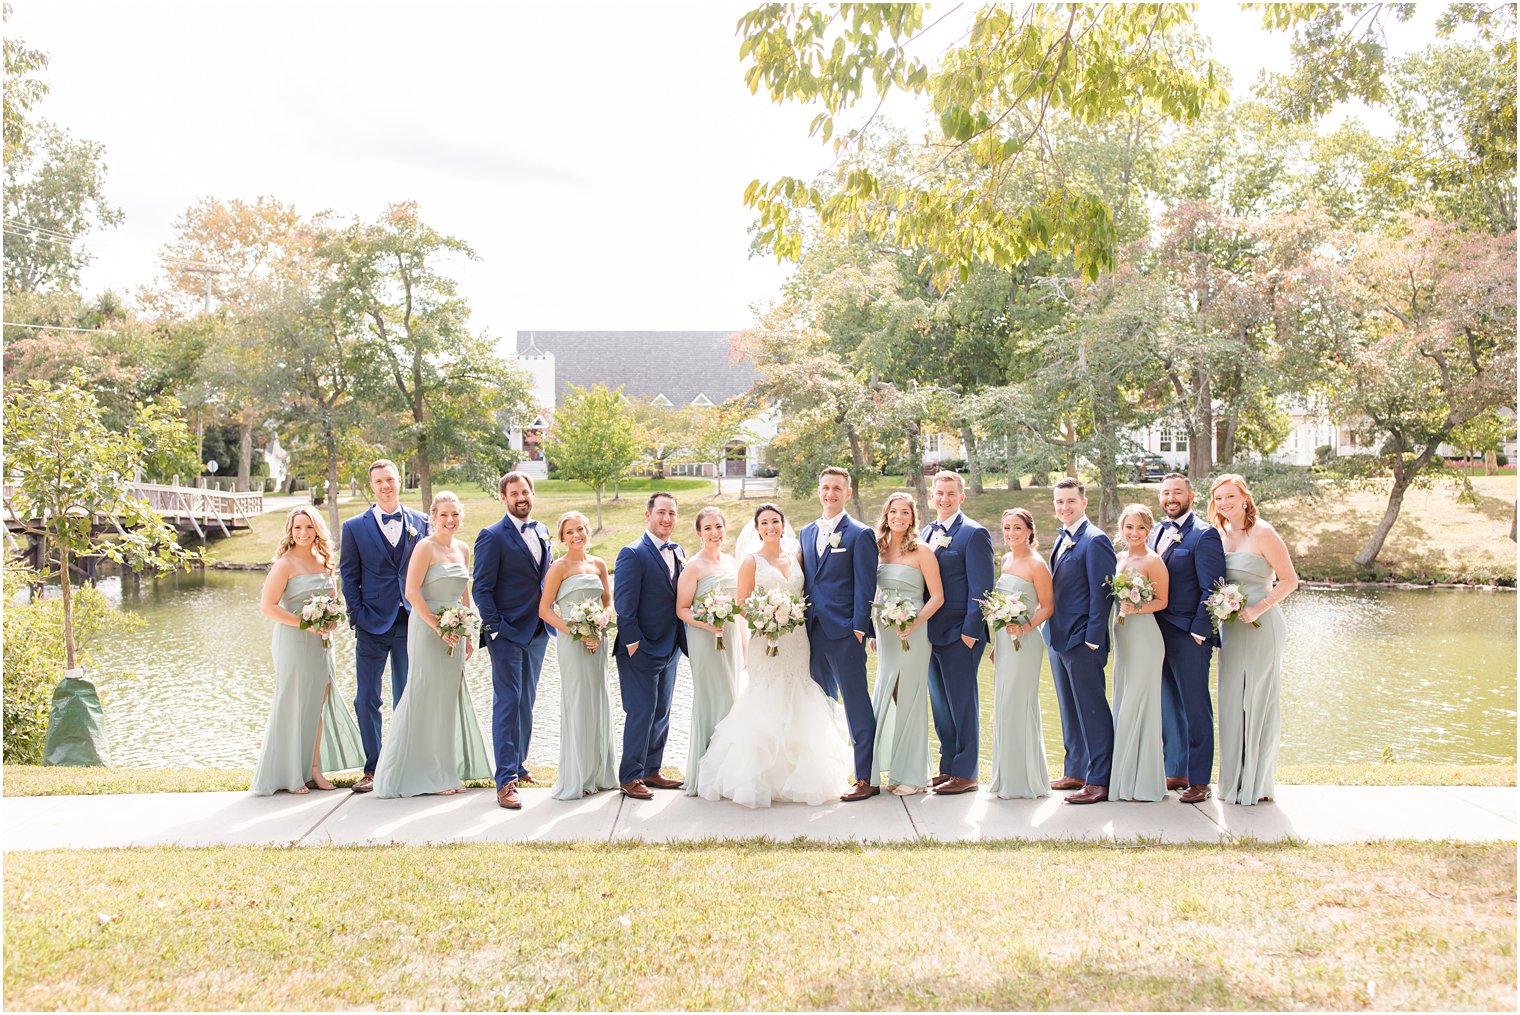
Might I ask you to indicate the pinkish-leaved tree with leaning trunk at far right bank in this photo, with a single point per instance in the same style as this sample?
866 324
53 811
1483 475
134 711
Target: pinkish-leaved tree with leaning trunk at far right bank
1436 352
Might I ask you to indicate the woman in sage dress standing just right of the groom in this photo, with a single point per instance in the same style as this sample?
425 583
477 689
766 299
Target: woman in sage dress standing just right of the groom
907 569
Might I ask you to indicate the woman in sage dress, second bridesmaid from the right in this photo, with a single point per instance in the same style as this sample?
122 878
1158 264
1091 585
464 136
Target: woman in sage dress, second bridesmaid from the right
1139 764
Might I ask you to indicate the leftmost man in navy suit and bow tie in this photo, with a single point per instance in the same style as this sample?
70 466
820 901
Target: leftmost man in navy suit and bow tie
375 549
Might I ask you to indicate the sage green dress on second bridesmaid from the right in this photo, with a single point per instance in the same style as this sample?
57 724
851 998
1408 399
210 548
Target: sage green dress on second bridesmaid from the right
1139 770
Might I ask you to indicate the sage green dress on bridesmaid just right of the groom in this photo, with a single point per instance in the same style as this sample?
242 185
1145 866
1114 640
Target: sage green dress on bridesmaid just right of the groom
902 726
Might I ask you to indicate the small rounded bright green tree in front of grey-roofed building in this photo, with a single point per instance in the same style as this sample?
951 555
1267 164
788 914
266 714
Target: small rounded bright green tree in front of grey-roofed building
594 438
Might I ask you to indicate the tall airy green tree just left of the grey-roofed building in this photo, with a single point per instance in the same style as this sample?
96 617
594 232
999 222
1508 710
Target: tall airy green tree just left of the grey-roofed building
455 394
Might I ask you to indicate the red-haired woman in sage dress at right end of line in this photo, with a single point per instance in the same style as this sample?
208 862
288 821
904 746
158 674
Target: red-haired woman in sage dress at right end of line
1250 659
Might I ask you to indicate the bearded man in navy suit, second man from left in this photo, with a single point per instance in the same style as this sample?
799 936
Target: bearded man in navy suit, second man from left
511 558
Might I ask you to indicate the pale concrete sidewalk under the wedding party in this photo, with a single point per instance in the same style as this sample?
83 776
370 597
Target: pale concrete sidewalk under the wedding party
1309 814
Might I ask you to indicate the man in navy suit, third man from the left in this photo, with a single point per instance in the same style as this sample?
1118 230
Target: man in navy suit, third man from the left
650 645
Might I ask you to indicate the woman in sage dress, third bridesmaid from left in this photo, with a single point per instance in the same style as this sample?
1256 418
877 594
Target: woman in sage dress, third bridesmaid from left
586 712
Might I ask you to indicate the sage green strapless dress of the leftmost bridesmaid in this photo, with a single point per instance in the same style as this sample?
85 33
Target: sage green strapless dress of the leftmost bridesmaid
306 695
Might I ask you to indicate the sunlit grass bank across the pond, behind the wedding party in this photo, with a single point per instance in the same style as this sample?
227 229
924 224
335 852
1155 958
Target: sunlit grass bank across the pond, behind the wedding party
1437 539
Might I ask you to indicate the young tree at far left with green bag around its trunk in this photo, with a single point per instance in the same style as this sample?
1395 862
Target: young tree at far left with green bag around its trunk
72 473
